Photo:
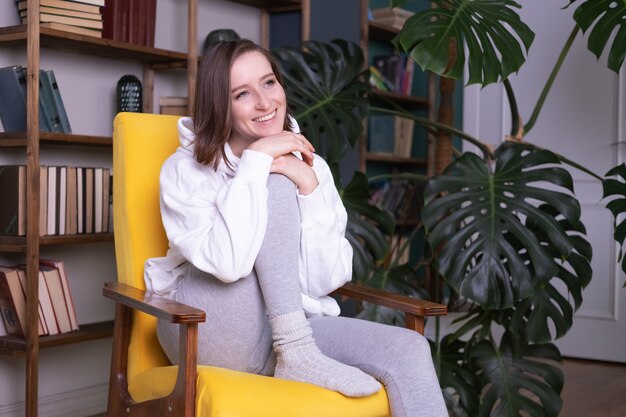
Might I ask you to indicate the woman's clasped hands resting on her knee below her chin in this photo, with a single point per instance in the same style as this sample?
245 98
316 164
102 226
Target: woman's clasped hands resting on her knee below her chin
281 147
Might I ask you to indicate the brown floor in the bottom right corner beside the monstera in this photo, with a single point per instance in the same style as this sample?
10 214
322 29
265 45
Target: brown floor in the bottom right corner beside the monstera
592 389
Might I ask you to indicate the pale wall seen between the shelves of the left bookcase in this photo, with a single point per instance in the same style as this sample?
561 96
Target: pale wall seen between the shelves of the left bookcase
73 379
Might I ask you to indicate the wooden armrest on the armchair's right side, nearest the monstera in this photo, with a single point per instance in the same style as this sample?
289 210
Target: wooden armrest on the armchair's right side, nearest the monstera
399 302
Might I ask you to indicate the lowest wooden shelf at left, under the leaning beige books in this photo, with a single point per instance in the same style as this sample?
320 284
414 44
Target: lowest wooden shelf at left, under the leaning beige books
12 345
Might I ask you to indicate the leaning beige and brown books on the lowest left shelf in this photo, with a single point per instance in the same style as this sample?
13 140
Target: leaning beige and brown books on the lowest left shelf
56 308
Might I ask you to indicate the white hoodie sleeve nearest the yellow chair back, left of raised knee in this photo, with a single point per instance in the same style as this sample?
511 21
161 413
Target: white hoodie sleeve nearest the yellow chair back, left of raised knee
217 224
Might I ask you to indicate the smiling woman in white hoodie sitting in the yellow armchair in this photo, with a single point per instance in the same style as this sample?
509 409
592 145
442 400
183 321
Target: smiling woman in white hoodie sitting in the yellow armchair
256 231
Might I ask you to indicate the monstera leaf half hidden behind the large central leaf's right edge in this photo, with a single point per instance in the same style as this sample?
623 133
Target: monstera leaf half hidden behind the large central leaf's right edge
547 304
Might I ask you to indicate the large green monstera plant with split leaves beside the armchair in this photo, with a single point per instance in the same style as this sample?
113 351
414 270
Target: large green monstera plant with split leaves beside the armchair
504 226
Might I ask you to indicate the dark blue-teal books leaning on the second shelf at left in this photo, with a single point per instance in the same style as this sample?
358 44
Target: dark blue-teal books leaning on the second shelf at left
52 114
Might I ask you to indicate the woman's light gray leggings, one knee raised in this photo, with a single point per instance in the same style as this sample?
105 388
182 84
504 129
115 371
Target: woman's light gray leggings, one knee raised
237 334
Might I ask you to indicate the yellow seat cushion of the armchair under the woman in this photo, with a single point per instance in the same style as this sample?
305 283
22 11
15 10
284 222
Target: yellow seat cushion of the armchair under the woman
226 393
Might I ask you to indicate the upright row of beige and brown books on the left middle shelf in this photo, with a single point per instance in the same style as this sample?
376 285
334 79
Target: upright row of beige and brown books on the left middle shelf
73 200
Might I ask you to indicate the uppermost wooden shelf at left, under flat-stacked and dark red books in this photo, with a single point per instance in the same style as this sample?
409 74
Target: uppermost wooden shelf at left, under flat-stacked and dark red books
90 45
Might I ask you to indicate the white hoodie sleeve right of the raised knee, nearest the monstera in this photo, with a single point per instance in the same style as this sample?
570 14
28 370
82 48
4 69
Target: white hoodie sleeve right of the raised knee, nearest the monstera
325 253
